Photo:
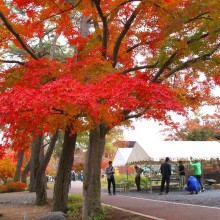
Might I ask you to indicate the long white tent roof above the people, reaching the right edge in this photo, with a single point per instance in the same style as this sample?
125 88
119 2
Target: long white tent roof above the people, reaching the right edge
175 150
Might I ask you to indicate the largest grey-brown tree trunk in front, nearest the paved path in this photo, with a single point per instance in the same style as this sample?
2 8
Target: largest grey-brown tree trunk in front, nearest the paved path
91 185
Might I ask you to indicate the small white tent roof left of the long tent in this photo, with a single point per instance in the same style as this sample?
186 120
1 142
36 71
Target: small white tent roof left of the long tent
121 156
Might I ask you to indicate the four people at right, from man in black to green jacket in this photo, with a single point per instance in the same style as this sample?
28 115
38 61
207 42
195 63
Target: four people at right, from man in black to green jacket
194 183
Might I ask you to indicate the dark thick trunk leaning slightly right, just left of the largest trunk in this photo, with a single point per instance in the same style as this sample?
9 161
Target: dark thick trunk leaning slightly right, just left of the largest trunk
63 178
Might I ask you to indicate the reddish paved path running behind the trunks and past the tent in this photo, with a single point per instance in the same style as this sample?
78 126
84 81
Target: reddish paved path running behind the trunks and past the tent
156 209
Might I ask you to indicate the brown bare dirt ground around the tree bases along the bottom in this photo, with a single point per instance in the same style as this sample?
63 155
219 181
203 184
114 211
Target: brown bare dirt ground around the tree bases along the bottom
16 211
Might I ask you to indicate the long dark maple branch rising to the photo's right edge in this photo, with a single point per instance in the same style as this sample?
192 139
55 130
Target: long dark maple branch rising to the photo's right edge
192 61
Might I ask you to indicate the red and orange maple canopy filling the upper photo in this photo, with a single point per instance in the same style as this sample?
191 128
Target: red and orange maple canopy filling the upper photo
137 59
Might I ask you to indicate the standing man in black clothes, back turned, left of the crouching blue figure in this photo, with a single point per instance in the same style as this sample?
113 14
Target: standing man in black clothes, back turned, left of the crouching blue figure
165 170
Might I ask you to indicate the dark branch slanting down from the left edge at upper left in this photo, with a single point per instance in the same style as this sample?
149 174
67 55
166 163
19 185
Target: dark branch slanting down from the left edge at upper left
17 36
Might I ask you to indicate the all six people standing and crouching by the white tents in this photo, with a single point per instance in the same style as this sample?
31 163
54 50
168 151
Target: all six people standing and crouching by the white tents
194 183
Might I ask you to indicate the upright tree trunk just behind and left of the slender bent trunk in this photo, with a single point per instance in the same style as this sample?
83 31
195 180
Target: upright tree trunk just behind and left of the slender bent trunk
34 161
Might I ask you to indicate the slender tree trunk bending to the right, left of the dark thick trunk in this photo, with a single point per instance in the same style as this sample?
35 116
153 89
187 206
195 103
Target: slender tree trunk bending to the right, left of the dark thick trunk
41 193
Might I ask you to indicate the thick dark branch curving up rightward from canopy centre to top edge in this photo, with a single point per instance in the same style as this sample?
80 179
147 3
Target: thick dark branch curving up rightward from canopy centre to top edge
123 33
